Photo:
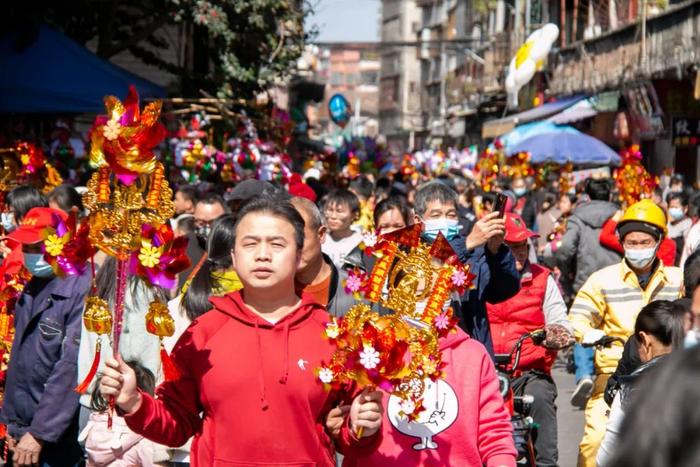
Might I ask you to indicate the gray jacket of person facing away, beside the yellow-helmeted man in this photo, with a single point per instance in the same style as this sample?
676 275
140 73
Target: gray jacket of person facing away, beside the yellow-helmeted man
580 251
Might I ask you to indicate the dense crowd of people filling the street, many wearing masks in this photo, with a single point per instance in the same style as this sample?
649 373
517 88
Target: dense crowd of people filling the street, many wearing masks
269 266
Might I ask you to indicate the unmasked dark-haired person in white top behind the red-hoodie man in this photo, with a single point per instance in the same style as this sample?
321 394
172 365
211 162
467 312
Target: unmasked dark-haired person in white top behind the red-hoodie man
341 208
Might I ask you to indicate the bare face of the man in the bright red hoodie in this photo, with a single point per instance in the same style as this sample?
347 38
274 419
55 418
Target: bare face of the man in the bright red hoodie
265 254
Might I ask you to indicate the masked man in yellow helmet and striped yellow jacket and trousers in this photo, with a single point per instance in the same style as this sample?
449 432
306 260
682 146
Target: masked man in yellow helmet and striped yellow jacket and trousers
610 300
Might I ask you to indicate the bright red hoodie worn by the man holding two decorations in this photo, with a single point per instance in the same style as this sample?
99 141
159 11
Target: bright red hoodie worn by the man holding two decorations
255 386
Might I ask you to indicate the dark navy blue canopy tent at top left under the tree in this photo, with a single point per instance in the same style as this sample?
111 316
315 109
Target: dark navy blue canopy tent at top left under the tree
57 75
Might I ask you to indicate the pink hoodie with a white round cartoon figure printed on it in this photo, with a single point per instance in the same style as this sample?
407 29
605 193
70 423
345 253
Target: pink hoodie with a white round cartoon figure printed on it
465 422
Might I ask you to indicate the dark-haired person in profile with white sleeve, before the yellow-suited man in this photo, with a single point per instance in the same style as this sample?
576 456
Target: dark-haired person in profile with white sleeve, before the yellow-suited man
659 330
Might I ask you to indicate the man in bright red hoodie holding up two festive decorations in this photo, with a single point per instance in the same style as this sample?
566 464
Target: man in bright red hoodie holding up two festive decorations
248 365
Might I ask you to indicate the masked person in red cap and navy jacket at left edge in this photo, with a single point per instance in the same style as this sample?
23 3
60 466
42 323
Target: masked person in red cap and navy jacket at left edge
40 407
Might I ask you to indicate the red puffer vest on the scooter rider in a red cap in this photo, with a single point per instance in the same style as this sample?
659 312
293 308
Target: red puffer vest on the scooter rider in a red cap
519 315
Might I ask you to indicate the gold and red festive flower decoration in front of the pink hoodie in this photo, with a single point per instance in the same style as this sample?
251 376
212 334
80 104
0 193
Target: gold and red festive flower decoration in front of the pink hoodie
397 352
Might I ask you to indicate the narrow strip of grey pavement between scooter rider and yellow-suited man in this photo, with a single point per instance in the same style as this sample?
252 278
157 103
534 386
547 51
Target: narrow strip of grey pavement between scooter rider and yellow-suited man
569 418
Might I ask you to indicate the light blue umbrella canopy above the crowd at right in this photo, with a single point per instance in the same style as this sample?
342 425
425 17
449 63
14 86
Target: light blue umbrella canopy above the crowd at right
562 147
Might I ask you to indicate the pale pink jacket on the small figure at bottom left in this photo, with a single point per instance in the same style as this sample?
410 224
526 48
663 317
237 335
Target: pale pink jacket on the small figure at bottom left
119 447
